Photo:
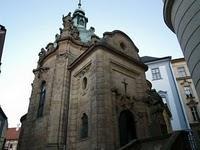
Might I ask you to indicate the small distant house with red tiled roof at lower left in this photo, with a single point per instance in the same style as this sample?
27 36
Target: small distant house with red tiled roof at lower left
12 136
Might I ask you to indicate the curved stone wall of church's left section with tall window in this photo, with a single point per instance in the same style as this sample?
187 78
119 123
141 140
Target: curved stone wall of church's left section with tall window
49 131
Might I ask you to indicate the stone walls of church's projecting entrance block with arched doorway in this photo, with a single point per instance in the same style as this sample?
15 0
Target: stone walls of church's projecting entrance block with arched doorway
105 73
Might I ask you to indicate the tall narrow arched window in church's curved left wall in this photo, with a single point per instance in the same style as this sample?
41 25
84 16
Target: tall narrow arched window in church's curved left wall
42 99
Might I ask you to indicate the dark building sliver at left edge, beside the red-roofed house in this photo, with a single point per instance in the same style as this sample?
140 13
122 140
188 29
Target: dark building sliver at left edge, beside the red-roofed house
3 127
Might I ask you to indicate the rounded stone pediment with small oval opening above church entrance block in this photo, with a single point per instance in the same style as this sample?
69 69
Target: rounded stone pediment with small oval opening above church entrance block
122 42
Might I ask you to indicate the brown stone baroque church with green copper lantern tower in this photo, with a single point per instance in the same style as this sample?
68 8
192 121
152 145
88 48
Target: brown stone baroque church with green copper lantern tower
90 93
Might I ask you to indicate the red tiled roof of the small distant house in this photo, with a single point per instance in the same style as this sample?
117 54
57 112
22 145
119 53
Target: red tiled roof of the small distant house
12 133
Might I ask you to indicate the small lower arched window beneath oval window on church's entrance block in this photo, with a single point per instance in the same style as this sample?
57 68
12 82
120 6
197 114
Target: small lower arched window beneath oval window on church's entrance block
84 126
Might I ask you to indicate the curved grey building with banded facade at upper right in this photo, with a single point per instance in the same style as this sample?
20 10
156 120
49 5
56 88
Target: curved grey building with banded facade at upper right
182 17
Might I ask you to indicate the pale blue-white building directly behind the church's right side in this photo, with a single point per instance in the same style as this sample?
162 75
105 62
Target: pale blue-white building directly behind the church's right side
161 76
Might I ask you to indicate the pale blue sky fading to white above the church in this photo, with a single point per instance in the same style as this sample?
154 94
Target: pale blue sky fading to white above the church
32 24
